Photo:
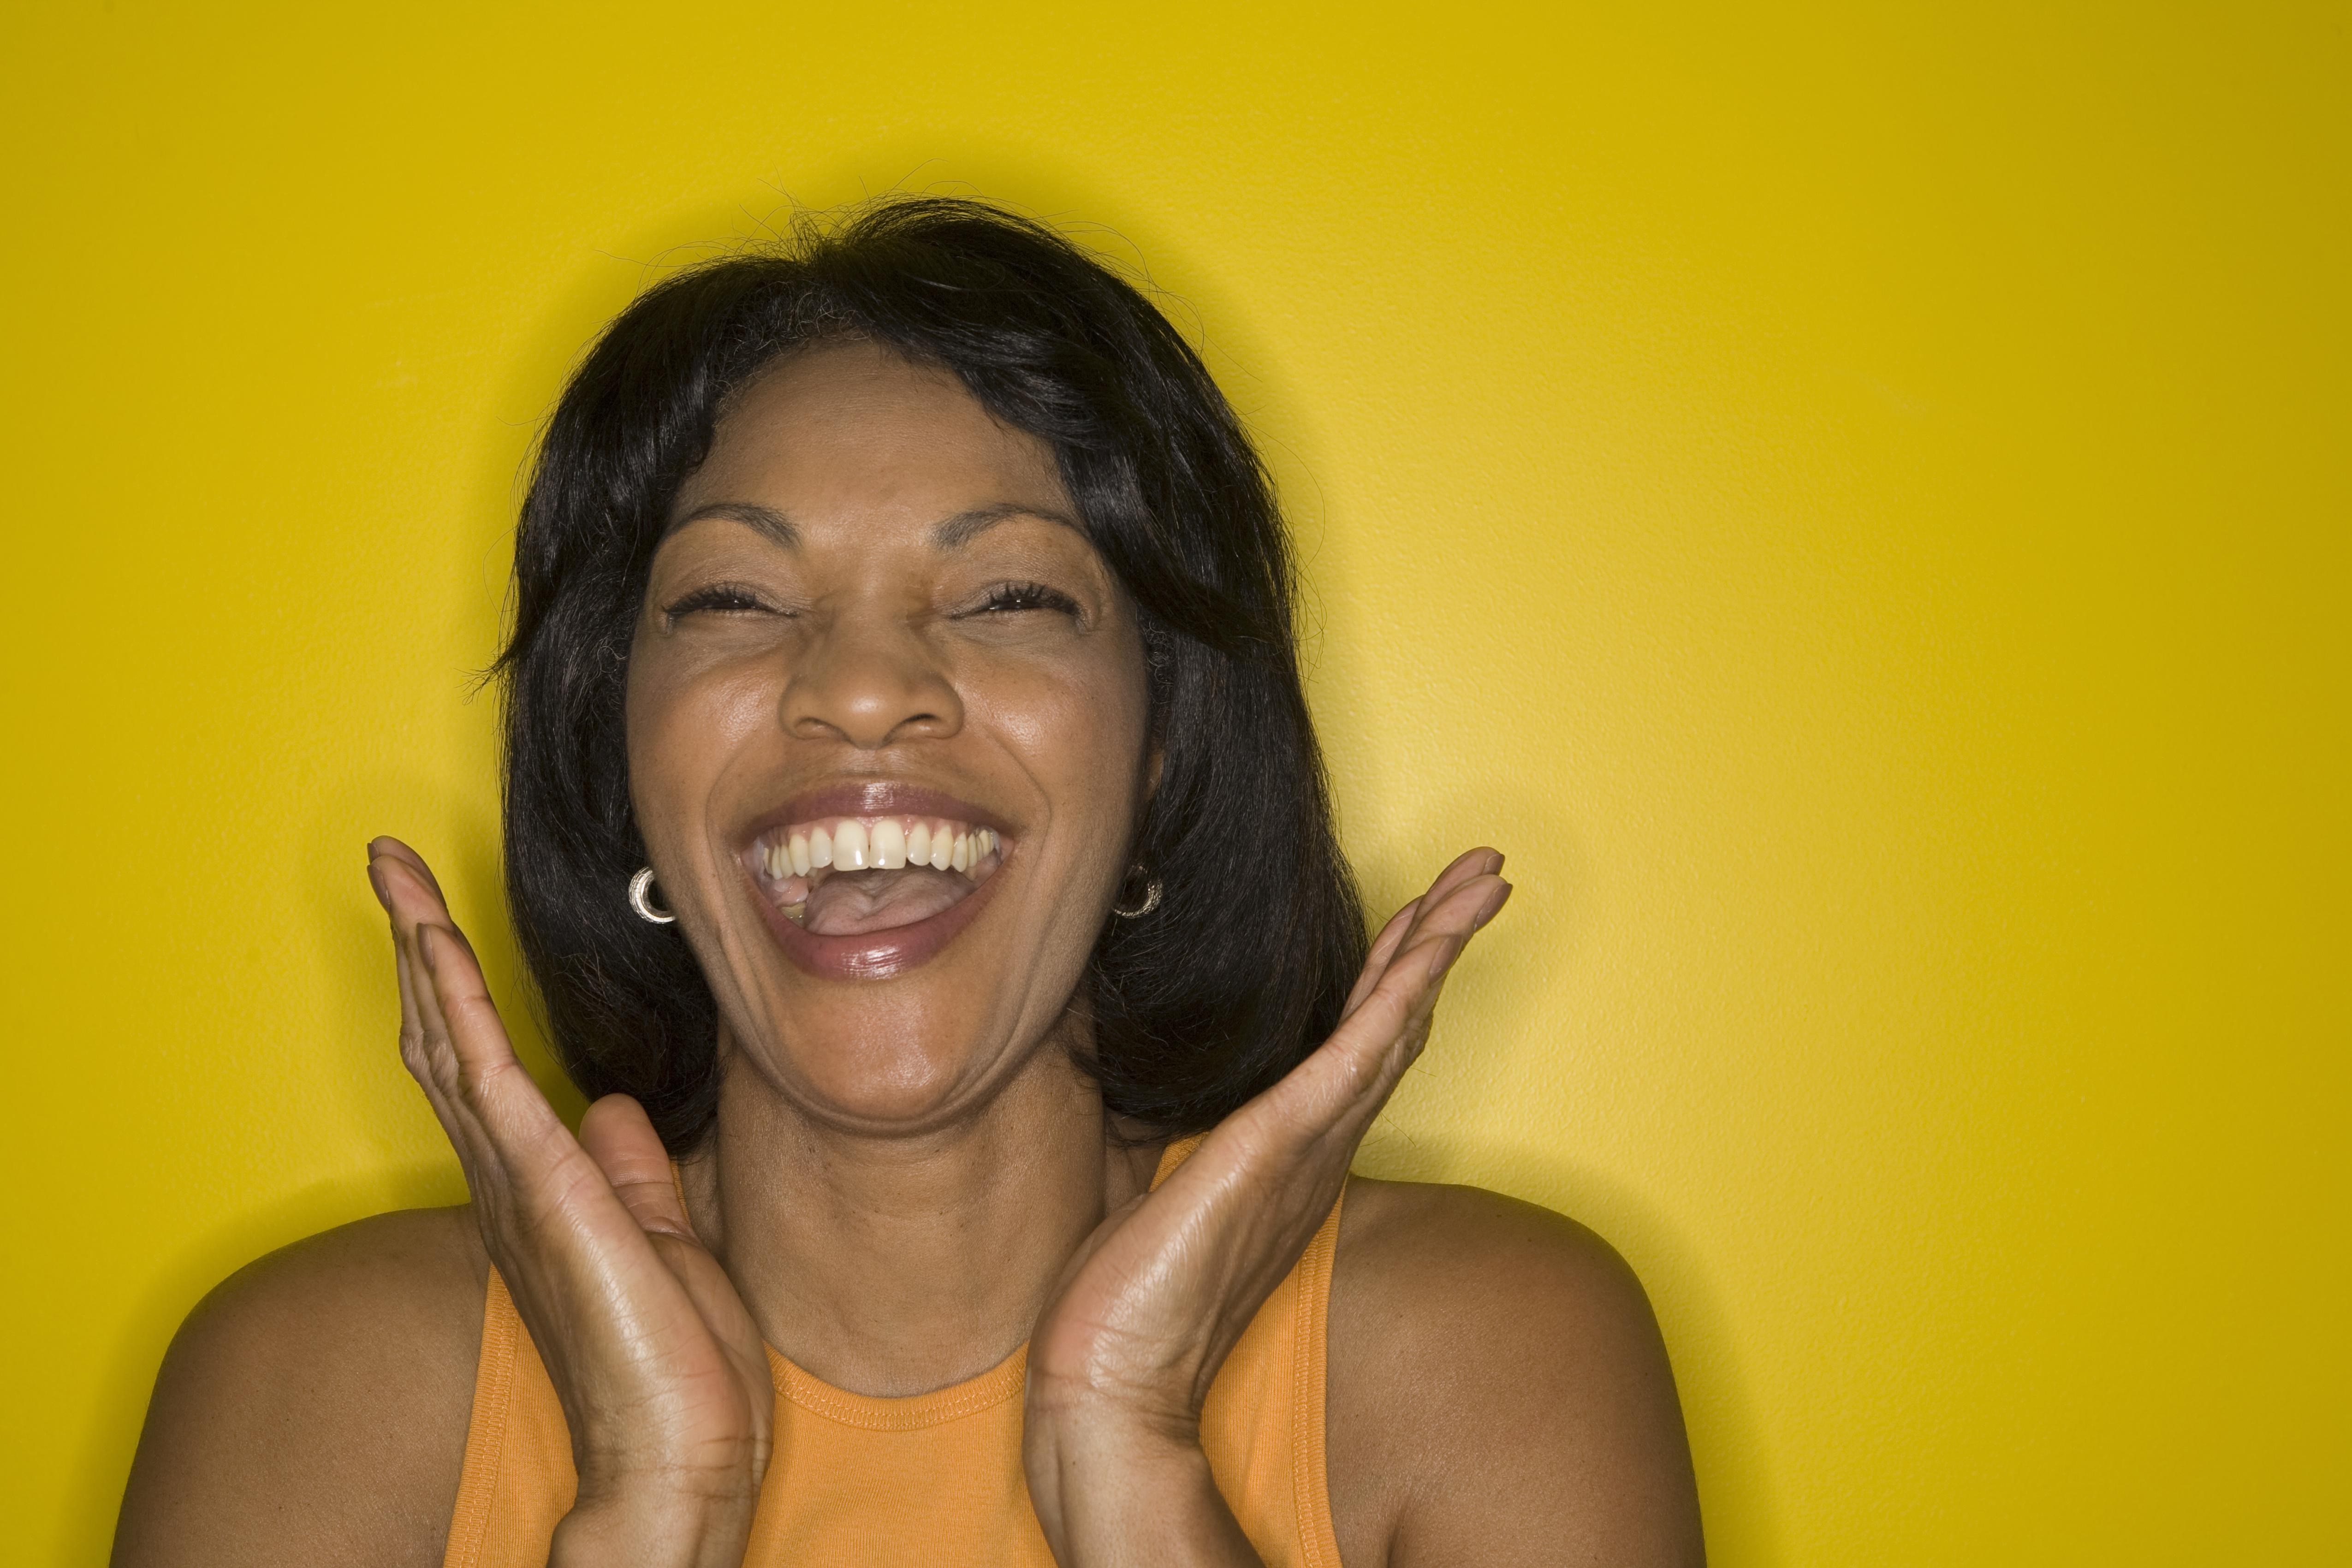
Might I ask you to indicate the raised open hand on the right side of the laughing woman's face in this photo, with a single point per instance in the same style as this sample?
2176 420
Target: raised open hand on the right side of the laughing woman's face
1163 1289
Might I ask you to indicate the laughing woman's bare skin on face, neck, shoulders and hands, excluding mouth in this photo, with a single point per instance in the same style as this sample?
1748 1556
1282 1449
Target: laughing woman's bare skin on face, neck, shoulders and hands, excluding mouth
909 1179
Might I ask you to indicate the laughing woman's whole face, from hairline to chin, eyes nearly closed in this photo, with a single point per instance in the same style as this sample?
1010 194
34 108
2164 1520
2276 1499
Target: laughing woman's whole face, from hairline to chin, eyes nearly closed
888 737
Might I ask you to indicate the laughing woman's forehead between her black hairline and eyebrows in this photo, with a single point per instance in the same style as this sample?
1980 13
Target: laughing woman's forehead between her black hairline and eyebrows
855 427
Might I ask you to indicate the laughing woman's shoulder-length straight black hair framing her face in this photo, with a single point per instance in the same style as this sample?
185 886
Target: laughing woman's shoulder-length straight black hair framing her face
1259 932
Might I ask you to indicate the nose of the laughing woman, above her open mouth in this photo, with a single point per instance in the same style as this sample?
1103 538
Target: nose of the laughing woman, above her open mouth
869 683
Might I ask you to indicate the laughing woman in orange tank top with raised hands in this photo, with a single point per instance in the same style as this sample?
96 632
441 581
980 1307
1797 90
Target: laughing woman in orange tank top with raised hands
918 840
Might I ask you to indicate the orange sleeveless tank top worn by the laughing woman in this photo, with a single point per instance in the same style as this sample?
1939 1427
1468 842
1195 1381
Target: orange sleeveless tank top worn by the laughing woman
928 1480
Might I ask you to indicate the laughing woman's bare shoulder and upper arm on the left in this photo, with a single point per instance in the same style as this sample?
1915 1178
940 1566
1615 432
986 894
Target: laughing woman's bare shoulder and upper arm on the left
314 1407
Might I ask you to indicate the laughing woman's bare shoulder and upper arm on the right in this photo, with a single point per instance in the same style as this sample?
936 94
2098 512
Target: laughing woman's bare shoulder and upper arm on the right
1497 1391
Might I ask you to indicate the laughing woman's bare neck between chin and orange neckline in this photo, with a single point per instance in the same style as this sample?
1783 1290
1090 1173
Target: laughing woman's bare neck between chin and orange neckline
907 1264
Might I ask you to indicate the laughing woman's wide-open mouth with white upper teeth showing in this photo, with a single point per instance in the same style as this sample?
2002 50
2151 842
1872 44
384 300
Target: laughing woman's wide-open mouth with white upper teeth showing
855 876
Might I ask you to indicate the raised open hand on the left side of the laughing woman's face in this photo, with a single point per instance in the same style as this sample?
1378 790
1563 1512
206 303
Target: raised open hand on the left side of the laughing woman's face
657 1362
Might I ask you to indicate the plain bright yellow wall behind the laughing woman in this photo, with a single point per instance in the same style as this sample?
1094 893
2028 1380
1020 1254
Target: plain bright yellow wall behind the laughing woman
1852 500
